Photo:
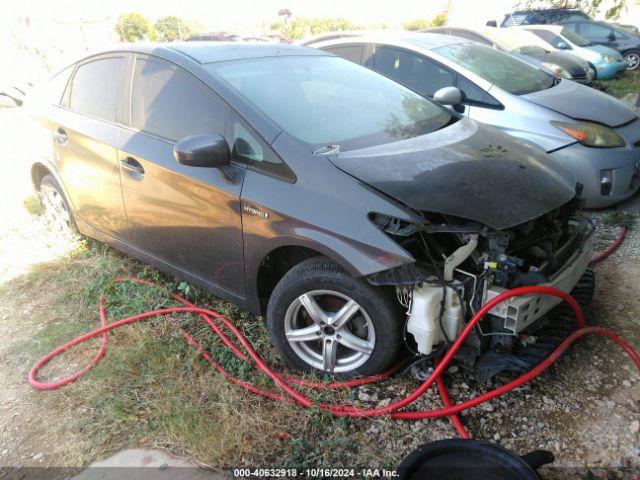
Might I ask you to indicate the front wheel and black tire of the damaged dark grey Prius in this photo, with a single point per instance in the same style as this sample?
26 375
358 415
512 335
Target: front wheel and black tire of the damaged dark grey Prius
325 321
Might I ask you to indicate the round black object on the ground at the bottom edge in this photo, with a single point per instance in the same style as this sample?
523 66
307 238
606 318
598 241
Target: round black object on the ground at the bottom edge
464 459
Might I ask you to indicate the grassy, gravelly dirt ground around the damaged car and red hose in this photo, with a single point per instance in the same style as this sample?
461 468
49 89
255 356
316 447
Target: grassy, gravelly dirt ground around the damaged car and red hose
585 409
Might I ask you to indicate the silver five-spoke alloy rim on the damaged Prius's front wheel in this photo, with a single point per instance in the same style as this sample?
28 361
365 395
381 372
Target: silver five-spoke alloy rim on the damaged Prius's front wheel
329 331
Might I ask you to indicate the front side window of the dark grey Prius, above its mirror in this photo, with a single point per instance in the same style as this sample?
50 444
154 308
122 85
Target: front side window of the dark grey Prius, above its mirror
170 103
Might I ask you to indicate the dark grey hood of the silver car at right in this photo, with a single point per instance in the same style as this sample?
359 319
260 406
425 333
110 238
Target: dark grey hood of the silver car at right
583 103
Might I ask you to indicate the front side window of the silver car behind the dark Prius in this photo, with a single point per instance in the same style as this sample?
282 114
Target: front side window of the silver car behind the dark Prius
414 71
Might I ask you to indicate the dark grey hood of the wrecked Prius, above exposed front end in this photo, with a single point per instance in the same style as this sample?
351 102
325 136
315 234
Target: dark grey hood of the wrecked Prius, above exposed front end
467 170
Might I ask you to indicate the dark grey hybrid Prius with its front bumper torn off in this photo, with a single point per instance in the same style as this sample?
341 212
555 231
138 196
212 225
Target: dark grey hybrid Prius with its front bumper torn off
361 219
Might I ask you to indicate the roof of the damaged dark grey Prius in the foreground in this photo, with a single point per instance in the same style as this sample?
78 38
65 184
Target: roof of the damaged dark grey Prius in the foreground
211 52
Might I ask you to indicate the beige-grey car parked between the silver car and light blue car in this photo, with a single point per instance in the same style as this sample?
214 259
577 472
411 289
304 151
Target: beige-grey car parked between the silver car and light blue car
528 48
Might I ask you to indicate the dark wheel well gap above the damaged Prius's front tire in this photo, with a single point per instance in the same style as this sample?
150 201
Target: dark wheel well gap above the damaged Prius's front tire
275 265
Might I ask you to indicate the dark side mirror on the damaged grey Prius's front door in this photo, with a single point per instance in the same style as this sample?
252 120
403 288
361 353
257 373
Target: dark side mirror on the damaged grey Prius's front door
208 150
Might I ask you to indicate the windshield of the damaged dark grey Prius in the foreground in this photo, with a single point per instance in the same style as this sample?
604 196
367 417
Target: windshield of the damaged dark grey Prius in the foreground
331 101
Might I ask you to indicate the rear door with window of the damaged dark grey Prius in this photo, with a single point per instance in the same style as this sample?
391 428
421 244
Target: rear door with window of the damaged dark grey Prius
85 138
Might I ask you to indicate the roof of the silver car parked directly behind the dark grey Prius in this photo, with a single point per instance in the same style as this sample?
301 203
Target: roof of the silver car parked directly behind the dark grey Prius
424 40
